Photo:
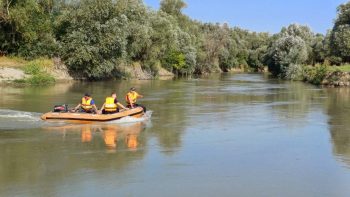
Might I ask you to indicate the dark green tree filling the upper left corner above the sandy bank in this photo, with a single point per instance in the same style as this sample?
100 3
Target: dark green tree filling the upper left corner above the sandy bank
26 28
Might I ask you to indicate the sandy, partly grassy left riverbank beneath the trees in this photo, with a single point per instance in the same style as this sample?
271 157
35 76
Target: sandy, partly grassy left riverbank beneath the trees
43 70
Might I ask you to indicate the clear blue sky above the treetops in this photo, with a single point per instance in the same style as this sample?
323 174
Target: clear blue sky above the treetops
263 15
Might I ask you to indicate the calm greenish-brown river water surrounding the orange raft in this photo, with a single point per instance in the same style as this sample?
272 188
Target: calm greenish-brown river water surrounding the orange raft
222 135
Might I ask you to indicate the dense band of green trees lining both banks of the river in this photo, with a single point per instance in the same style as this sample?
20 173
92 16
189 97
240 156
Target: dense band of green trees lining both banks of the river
97 38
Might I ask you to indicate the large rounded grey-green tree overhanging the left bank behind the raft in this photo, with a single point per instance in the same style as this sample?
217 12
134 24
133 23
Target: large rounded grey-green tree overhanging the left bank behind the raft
96 39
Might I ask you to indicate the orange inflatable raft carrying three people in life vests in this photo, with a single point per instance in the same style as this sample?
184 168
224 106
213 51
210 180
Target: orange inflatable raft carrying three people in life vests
136 112
